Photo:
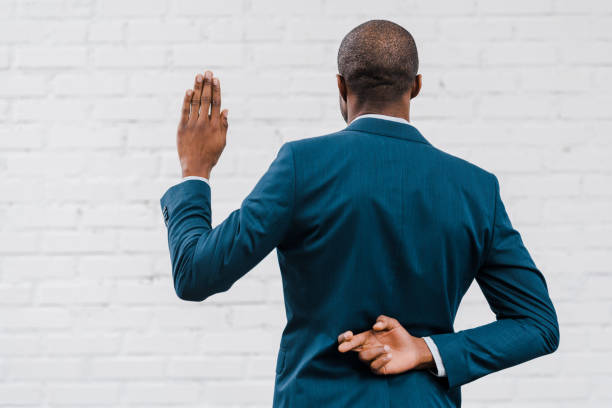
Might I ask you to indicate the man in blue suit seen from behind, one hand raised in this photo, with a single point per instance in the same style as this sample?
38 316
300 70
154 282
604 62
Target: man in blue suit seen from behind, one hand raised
376 231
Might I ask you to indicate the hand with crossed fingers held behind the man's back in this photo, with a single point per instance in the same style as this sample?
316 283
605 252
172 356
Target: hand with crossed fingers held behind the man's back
387 348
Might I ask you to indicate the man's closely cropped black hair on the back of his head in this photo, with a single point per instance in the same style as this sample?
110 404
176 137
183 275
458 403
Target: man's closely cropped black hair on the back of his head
378 60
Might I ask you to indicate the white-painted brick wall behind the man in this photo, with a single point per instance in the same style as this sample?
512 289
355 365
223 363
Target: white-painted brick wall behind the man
89 100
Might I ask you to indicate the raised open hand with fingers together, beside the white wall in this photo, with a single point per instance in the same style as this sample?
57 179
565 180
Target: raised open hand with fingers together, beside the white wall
201 135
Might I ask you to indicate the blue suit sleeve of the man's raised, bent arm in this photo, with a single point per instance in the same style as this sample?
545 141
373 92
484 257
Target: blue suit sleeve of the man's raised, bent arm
208 260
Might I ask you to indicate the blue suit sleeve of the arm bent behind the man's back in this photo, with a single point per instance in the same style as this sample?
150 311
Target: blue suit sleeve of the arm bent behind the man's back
526 323
